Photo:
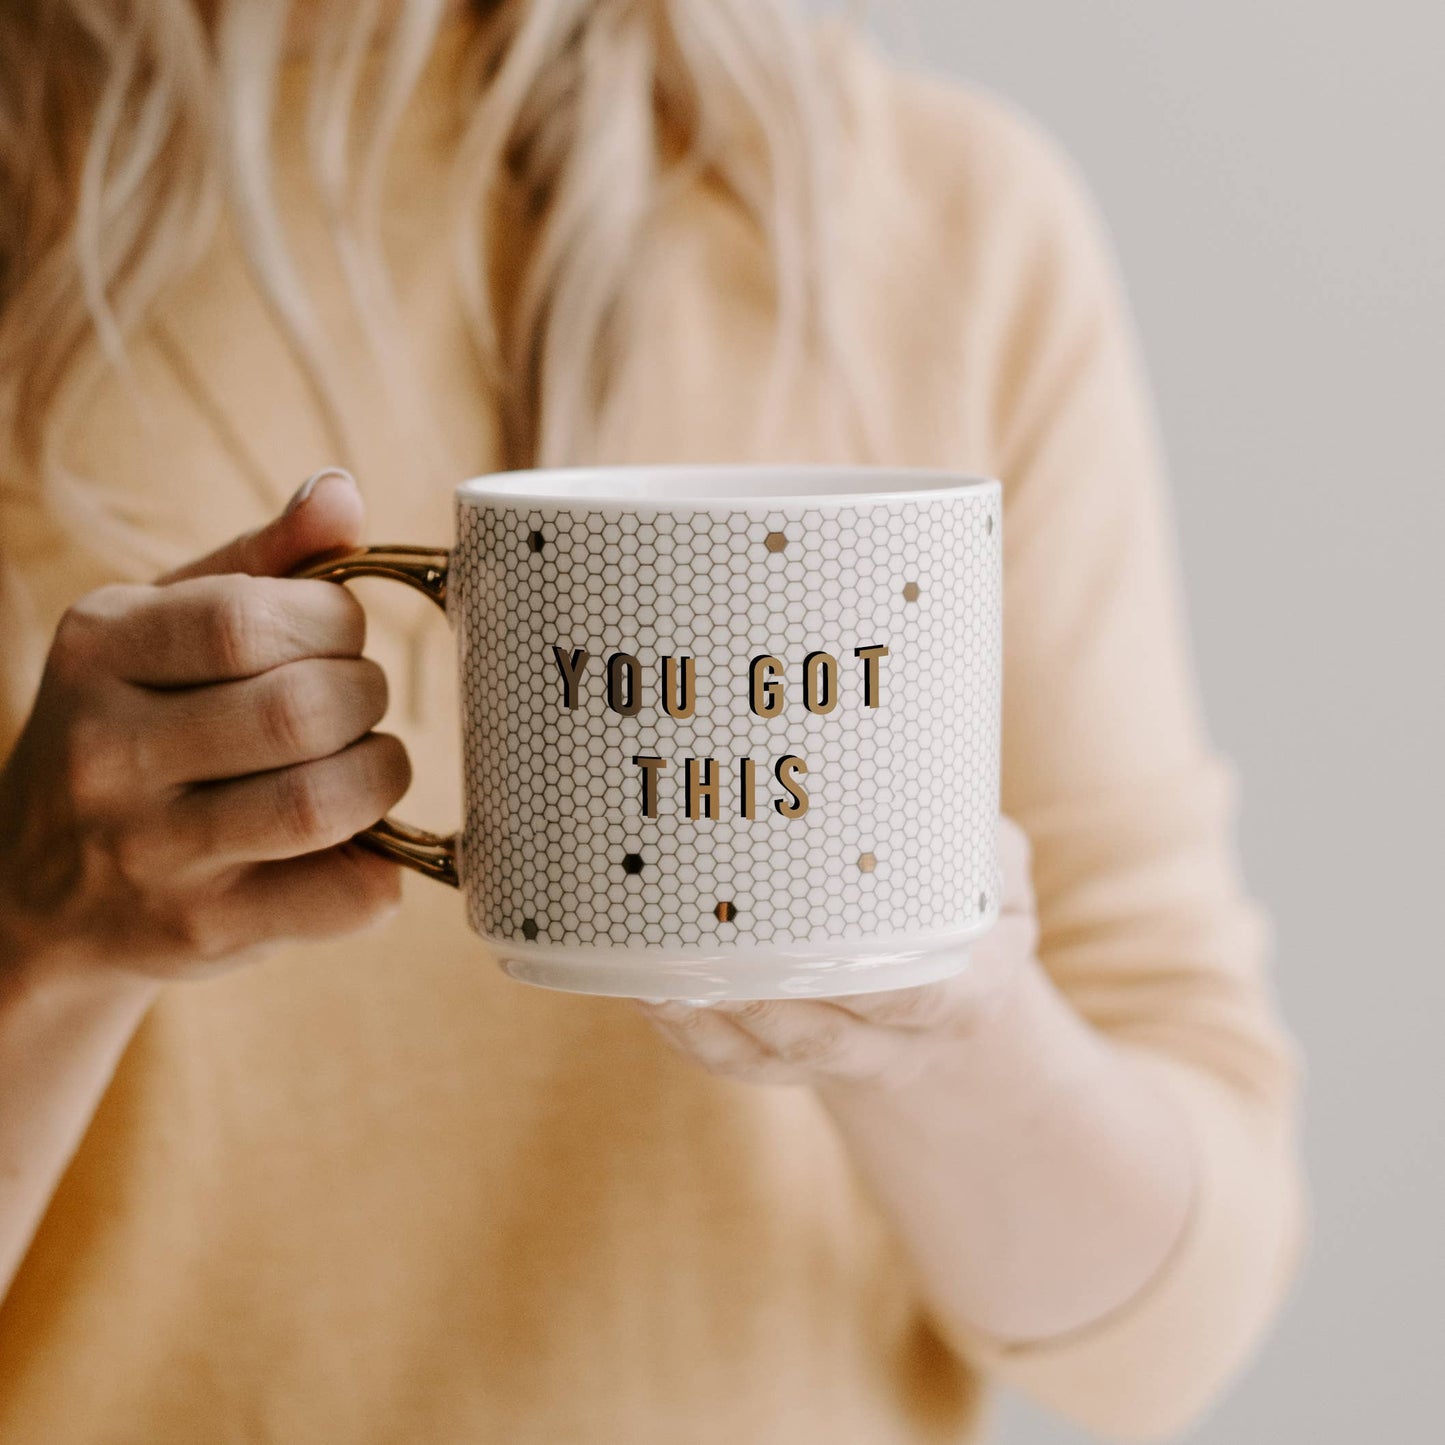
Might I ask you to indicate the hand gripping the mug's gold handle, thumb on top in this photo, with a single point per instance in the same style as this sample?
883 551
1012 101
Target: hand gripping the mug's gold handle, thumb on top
199 755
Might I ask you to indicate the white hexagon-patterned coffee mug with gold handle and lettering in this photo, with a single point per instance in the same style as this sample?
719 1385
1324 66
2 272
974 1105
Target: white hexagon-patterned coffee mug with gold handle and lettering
729 732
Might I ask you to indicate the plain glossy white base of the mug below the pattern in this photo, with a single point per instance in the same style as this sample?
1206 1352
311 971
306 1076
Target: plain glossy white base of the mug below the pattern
807 973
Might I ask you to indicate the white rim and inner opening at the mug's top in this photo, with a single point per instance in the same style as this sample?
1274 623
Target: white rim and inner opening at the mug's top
599 486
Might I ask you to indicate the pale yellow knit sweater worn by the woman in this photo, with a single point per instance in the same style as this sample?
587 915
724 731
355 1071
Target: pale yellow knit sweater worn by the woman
376 1191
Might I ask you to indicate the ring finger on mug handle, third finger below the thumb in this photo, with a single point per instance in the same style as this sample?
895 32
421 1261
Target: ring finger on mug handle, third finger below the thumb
285 814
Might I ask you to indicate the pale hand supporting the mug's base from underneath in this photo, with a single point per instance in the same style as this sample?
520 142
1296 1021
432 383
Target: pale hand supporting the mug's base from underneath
881 1038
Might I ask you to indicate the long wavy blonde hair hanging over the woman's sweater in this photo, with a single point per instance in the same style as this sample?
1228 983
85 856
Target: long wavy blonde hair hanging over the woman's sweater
125 126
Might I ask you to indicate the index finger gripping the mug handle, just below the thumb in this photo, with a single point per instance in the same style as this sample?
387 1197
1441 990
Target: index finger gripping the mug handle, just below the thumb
216 629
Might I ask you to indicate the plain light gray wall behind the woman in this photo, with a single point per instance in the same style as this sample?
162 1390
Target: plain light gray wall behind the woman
1272 173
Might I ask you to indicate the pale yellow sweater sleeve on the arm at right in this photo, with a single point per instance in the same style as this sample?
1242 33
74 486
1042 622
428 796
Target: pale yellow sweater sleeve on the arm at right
1145 924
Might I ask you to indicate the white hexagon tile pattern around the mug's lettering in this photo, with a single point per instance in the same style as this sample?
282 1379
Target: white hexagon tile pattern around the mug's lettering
557 850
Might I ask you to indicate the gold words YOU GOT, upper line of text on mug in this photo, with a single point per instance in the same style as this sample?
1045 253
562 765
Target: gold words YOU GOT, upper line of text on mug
678 681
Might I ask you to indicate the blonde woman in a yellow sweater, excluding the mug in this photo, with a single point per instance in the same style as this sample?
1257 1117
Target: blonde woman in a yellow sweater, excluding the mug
282 1157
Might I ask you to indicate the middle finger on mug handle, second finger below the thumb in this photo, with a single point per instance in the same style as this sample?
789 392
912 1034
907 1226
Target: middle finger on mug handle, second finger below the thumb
296 713
